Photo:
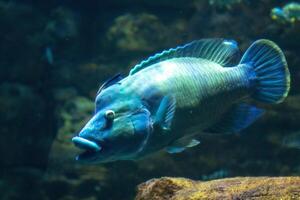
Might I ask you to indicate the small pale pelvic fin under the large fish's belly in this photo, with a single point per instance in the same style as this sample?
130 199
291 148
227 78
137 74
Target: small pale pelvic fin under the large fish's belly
181 144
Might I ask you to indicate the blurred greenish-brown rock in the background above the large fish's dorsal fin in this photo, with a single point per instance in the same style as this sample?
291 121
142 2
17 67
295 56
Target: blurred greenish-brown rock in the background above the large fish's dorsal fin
141 32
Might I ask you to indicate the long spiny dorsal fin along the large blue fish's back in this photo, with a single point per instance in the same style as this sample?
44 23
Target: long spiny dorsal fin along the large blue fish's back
222 51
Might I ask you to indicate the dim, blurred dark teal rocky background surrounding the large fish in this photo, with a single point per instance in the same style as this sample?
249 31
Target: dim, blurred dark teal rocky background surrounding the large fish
54 55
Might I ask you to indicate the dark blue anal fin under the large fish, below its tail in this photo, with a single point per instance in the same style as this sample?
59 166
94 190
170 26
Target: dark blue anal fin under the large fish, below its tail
239 117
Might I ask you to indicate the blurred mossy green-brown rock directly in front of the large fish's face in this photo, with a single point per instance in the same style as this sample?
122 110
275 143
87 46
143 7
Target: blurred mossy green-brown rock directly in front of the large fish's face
64 175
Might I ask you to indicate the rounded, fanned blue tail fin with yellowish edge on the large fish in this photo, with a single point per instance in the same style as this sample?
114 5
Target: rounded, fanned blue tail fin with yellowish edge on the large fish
272 74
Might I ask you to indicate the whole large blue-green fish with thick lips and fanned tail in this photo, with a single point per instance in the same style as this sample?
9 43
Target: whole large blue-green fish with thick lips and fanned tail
169 99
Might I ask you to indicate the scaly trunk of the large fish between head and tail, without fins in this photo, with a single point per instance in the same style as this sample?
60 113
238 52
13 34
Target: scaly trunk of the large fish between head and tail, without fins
194 96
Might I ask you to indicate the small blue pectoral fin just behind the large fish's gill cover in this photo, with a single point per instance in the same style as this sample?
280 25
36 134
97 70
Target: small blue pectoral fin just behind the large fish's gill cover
165 112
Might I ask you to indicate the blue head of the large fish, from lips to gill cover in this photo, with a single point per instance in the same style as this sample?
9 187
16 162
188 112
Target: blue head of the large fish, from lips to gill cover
118 130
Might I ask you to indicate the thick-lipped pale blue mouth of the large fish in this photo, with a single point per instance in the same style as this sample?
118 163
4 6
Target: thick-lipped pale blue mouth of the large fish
90 148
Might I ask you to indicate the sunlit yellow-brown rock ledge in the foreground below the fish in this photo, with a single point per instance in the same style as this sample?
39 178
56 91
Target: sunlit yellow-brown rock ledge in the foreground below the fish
230 188
